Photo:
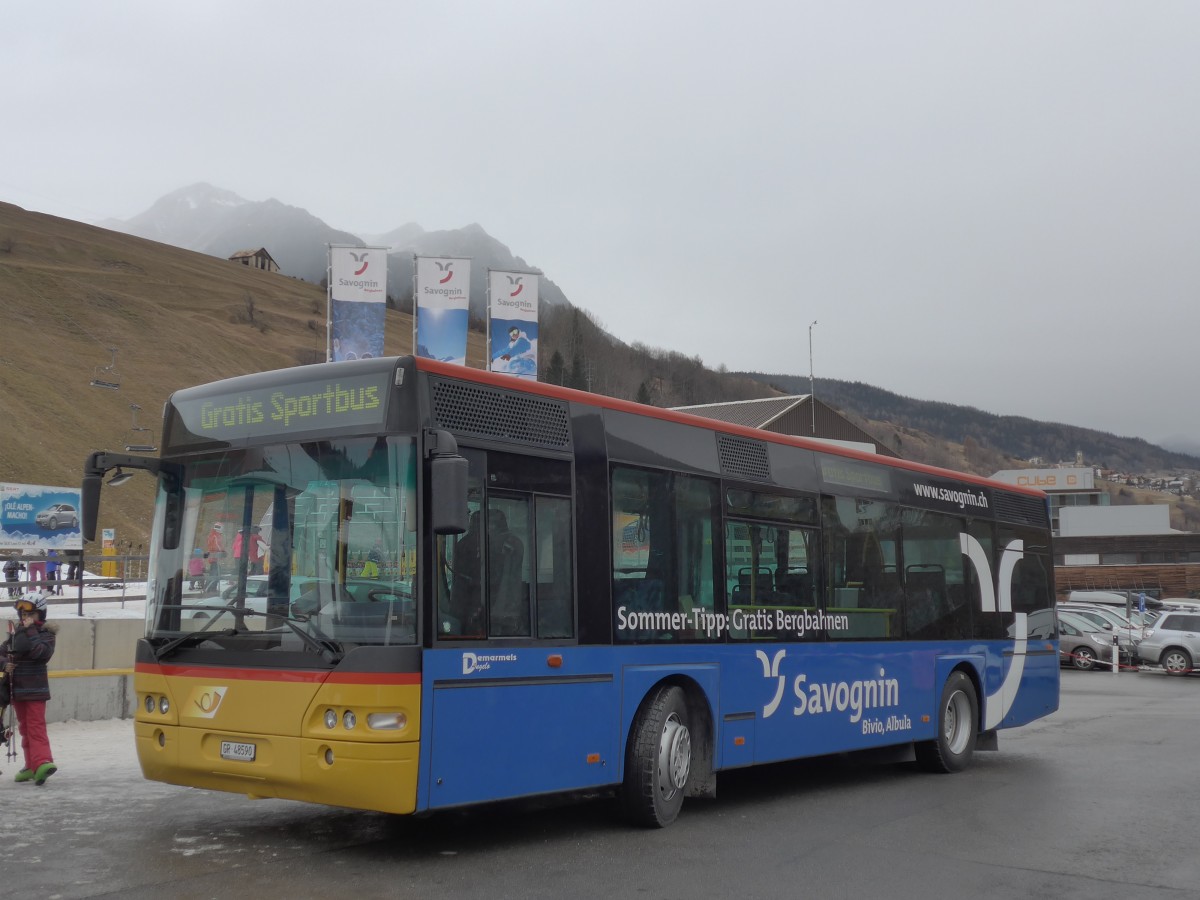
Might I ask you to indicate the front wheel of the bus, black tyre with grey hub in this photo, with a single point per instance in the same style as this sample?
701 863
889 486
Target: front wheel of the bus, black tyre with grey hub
658 759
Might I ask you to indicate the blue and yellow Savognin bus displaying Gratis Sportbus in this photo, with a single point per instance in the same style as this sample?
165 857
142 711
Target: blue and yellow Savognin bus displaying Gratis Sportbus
427 586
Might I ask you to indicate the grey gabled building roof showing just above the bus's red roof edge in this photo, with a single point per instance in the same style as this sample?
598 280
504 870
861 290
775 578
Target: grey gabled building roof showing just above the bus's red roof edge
802 416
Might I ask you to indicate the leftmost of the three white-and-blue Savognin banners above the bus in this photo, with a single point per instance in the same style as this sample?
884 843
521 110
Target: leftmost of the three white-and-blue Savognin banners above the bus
358 302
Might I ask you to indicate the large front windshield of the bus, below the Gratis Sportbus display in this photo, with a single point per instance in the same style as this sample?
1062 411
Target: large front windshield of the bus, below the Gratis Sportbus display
308 547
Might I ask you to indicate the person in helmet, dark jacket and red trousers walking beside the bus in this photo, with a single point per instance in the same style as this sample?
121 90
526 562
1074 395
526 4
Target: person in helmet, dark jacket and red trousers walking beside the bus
25 657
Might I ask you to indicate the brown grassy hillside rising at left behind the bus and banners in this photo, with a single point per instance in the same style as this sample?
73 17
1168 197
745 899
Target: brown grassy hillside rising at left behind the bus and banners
69 292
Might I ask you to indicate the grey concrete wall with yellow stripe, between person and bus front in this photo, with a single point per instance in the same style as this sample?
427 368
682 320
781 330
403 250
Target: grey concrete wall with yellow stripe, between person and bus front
92 671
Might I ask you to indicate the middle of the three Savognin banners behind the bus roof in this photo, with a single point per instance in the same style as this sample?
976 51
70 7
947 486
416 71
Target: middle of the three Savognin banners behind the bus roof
441 298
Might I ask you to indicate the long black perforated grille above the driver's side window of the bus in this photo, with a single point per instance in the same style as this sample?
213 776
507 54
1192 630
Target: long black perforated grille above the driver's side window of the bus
490 413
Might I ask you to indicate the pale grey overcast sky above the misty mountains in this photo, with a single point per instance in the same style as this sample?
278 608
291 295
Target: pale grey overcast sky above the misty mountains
992 205
